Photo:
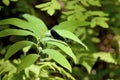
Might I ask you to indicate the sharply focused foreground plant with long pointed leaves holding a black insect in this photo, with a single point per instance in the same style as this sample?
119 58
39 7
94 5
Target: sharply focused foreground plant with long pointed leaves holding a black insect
43 42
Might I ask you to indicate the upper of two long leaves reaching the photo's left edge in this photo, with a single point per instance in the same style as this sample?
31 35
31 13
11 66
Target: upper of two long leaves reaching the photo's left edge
18 23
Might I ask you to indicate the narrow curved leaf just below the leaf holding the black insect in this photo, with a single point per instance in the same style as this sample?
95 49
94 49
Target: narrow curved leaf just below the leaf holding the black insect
65 48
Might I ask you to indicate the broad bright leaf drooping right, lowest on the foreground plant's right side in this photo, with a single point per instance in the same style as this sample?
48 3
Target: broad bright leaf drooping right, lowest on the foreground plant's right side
59 58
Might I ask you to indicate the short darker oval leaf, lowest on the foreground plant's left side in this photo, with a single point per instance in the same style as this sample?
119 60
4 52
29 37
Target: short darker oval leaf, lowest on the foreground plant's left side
27 61
